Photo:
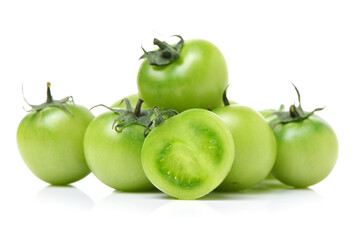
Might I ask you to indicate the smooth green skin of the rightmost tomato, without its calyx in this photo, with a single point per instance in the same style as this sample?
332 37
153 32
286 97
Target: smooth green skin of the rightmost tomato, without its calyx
307 152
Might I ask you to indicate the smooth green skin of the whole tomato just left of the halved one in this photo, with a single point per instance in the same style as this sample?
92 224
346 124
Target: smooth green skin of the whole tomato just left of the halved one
115 157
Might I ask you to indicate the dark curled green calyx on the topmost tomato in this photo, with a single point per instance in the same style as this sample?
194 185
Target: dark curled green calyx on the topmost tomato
166 53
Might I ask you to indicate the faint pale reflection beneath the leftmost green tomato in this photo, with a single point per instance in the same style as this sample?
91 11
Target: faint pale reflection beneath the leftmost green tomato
62 199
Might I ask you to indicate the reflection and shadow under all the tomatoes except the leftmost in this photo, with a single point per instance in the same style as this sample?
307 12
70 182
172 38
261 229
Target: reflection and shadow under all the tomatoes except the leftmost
270 196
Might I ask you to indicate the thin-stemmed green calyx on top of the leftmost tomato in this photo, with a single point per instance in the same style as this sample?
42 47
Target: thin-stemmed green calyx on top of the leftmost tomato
50 102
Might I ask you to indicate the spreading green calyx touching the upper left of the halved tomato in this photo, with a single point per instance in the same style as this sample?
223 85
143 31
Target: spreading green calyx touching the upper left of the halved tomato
130 115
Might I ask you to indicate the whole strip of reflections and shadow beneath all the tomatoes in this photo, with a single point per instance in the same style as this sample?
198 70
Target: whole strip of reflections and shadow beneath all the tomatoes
270 196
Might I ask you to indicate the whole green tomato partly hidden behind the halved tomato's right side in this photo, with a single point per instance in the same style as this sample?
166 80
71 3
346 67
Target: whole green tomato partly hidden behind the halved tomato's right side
255 147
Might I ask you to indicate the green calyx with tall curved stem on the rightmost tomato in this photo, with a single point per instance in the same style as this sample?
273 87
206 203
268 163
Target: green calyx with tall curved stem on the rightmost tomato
295 113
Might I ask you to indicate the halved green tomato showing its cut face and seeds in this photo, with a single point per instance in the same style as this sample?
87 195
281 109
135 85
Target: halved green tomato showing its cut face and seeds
188 155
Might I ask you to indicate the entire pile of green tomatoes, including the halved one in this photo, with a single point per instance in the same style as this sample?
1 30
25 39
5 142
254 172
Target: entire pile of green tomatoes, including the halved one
173 137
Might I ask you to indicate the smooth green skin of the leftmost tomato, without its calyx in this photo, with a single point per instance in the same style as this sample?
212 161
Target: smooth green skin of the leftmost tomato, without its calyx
50 142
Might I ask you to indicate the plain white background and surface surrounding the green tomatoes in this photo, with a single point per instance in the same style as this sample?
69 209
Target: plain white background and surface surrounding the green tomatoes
90 50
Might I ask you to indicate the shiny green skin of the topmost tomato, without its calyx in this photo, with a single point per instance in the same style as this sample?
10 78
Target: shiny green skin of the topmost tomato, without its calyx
197 79
